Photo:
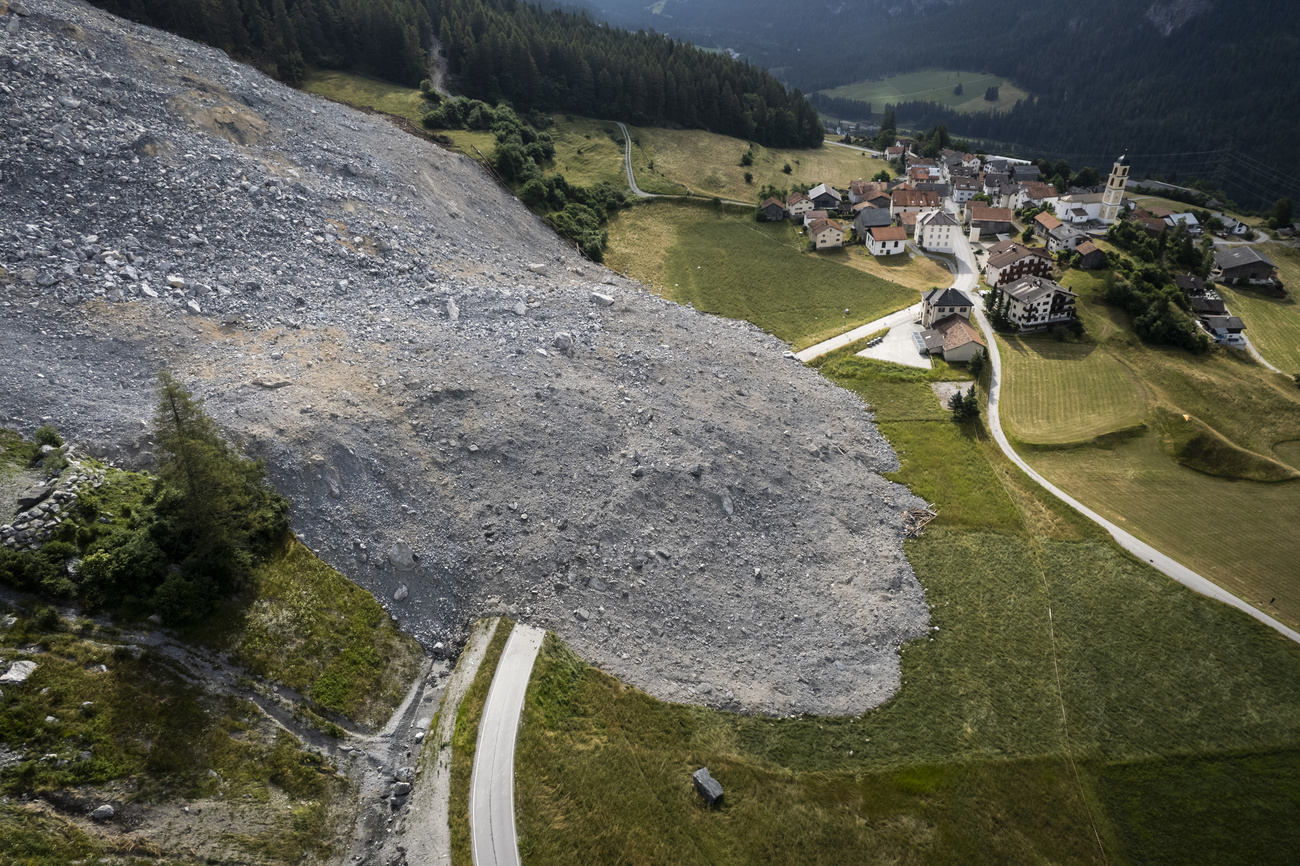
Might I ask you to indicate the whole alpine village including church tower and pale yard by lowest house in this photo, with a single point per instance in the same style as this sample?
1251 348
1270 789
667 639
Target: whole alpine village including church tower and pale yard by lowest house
1020 233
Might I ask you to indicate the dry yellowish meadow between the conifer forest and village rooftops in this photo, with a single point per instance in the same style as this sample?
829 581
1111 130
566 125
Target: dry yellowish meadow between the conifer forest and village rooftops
709 164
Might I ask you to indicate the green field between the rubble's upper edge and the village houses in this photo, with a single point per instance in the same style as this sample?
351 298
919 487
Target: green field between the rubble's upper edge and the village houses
723 262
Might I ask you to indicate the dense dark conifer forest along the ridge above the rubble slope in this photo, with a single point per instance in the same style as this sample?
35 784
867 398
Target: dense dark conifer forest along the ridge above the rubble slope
532 58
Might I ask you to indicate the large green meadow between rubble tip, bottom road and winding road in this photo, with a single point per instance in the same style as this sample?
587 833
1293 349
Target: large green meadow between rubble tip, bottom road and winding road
1033 726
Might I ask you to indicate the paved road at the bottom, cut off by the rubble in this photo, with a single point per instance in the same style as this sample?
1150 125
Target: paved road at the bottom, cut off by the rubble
492 786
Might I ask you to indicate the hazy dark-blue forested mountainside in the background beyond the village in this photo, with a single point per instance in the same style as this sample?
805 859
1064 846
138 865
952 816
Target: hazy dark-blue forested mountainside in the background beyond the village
1186 86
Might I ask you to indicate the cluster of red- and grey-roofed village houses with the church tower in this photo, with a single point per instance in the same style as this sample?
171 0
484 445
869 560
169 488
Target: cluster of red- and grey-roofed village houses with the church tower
934 206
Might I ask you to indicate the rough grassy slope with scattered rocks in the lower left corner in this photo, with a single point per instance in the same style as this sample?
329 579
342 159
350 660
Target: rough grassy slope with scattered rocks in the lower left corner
118 713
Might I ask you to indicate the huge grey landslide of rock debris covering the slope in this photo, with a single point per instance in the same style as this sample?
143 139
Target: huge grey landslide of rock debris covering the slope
467 415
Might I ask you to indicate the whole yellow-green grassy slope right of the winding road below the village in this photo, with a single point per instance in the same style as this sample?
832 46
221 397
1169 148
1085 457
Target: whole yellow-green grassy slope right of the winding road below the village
1211 477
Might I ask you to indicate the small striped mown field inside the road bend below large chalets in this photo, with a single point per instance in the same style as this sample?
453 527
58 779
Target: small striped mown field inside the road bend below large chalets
1065 392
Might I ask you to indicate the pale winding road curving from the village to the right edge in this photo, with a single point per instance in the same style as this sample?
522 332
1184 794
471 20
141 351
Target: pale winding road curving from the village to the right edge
1141 549
